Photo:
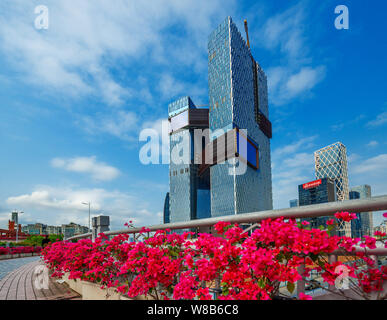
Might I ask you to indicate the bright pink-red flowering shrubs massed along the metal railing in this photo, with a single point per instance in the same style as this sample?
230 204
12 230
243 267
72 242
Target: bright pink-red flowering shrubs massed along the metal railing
173 266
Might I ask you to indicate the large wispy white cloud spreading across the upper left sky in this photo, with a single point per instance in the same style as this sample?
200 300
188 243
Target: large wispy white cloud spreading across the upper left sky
74 55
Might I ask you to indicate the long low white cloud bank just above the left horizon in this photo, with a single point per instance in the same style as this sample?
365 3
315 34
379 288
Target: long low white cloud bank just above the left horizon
56 206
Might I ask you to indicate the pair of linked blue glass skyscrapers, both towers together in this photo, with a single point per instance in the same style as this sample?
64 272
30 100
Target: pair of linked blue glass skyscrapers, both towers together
220 156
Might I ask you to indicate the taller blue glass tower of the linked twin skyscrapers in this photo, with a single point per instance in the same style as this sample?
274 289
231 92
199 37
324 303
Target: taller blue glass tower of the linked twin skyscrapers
239 100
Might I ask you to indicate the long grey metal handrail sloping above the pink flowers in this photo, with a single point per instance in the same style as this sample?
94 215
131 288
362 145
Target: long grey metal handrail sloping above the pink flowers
318 210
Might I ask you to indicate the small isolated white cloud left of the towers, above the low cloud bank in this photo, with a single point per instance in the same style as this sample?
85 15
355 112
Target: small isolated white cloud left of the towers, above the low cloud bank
98 170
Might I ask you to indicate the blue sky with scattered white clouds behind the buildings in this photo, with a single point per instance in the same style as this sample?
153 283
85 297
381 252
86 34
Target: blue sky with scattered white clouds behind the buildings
74 98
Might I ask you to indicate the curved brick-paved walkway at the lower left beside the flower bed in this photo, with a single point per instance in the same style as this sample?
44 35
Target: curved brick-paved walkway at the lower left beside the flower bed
18 281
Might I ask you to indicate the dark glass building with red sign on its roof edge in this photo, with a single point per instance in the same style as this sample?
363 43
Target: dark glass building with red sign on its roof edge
316 192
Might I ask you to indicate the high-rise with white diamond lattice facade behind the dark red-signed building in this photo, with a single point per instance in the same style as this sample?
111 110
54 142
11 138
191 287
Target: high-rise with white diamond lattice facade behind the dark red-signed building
331 162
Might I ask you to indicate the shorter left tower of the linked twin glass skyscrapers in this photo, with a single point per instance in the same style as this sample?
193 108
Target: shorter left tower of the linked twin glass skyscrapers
189 192
